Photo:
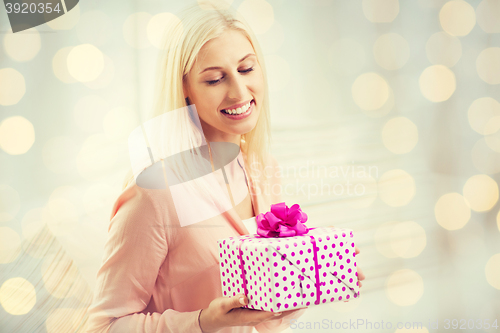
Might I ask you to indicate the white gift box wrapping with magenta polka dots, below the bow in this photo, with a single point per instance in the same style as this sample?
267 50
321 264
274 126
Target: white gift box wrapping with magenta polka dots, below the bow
281 274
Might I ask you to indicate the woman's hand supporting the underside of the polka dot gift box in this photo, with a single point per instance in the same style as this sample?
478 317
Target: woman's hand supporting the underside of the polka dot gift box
227 311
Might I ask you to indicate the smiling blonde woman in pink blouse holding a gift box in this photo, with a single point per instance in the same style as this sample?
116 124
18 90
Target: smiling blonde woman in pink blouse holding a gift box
157 274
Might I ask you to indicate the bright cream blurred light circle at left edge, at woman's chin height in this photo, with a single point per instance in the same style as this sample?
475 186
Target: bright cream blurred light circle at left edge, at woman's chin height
17 135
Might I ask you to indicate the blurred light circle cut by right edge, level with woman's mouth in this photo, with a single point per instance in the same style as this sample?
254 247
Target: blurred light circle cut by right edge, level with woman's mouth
481 115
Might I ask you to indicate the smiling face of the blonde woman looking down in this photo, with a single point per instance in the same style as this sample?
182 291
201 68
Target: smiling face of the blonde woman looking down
226 86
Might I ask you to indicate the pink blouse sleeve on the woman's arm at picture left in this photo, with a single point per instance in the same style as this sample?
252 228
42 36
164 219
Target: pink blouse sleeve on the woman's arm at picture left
133 254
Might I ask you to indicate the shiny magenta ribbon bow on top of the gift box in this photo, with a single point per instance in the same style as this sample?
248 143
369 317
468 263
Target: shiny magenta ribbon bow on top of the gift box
282 221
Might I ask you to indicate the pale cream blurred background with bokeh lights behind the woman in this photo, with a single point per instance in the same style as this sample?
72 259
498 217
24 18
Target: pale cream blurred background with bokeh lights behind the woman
410 88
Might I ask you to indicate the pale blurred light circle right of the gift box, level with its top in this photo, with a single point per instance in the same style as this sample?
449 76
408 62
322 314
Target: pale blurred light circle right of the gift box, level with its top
408 239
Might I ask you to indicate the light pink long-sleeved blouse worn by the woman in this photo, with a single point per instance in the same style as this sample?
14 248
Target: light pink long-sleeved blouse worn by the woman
156 275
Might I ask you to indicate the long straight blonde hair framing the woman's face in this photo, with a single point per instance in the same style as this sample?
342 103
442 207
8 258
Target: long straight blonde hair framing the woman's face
182 42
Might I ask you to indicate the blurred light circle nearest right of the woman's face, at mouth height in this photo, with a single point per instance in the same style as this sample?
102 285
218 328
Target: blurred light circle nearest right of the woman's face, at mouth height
370 91
